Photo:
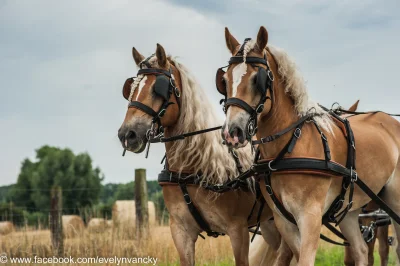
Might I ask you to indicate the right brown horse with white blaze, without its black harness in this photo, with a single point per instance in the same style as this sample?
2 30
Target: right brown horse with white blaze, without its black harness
306 196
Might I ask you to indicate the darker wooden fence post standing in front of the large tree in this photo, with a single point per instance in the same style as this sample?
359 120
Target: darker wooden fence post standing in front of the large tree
57 239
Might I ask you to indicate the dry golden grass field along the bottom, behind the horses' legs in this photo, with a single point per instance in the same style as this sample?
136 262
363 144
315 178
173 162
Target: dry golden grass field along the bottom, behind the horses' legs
159 245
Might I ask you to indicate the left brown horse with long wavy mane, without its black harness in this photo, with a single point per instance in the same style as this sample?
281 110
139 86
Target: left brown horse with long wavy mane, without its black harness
226 213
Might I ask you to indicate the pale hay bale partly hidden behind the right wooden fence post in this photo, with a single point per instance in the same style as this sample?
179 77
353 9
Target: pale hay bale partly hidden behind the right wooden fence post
124 213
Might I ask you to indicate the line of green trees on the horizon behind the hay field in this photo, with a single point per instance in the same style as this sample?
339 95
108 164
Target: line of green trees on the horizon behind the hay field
28 201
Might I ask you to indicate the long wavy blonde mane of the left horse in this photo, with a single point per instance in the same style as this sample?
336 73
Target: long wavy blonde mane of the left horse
203 153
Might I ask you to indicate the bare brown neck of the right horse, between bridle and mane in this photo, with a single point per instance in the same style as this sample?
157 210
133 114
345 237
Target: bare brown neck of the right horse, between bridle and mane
281 116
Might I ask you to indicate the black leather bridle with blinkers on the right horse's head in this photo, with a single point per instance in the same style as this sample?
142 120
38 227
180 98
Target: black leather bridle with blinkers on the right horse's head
264 82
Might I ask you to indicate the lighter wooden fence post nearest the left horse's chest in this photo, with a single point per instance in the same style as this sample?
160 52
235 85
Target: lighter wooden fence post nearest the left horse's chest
141 202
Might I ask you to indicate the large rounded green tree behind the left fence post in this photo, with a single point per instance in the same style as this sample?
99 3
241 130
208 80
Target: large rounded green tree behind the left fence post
81 183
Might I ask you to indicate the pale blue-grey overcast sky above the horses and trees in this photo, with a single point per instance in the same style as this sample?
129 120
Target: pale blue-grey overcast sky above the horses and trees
63 63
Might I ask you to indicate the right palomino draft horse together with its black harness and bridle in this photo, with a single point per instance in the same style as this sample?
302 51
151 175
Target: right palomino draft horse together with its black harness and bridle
266 95
